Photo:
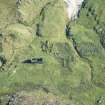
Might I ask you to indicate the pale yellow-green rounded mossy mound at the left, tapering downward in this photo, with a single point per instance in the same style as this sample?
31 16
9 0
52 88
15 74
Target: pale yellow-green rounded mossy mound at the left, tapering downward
16 37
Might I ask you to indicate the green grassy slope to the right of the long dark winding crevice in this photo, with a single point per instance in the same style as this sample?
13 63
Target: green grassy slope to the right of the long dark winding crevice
89 46
